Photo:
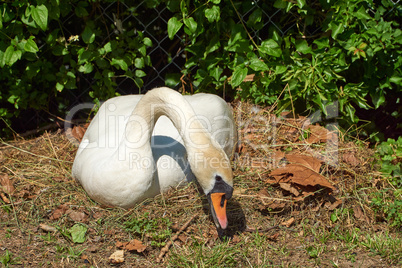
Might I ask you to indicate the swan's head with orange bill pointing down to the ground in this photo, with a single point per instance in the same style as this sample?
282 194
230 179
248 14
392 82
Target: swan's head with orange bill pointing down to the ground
216 179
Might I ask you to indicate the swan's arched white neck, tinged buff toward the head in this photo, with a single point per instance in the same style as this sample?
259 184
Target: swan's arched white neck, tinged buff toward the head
201 148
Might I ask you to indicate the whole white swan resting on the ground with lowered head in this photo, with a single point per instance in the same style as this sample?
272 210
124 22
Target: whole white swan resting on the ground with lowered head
140 145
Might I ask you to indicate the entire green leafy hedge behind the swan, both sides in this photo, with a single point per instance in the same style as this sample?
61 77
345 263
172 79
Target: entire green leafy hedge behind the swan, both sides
344 53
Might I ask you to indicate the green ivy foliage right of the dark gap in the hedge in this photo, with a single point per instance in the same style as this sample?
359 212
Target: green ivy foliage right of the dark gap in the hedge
313 56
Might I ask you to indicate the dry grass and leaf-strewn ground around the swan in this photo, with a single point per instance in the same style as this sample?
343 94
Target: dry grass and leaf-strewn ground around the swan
302 199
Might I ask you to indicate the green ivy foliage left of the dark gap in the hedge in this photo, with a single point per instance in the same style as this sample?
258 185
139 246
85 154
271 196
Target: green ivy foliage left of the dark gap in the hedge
47 46
